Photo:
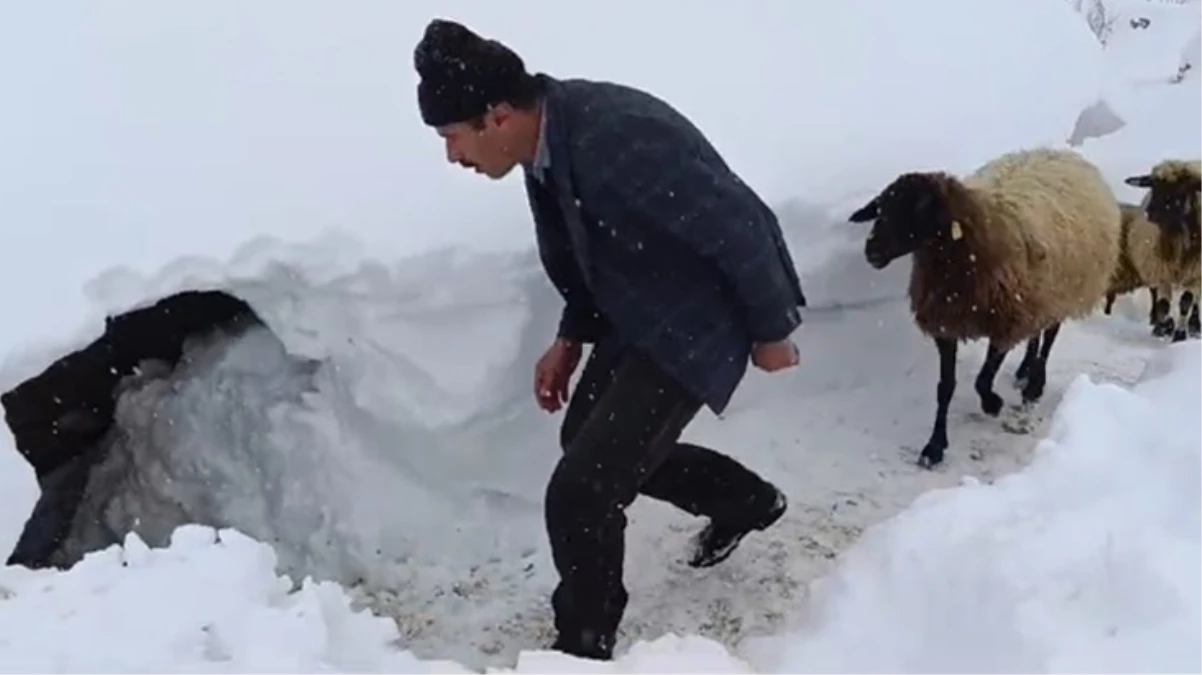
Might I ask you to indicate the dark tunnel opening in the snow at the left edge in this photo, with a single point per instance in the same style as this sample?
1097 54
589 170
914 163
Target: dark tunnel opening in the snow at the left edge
62 417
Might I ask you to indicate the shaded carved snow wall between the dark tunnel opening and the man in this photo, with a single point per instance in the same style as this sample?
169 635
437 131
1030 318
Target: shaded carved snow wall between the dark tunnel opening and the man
376 409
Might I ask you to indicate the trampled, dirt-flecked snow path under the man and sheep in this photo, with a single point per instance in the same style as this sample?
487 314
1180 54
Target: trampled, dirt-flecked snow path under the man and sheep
860 408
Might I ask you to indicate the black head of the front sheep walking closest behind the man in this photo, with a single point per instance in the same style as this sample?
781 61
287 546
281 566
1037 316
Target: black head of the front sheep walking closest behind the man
911 213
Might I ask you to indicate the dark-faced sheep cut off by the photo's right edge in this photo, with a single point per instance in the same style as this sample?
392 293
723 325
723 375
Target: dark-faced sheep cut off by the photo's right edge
1170 254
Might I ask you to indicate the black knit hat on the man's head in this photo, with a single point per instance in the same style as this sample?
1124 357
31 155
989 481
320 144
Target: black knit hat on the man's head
463 75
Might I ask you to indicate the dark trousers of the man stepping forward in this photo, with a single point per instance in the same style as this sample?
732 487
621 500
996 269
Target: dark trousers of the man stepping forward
621 440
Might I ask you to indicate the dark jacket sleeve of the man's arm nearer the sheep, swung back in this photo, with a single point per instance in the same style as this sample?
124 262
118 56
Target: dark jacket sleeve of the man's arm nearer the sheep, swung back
656 177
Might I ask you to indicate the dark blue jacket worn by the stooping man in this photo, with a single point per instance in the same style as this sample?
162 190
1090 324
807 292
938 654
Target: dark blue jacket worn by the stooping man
653 241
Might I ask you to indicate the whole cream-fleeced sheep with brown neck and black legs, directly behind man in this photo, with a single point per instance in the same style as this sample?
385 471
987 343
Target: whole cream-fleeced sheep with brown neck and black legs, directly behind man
1007 254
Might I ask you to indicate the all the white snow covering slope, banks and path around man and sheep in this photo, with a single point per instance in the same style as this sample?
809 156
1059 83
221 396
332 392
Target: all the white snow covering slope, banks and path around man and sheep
379 439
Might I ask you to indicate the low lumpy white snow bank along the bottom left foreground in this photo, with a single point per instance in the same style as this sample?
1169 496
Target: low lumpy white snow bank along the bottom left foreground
215 605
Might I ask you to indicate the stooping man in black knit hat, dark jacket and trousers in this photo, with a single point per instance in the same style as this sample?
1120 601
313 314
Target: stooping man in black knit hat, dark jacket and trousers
673 268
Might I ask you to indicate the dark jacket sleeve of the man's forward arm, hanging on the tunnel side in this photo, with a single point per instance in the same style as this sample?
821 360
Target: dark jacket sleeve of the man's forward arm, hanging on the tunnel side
580 321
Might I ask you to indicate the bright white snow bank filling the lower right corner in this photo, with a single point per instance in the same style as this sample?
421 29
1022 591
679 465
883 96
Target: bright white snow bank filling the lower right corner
1085 561
